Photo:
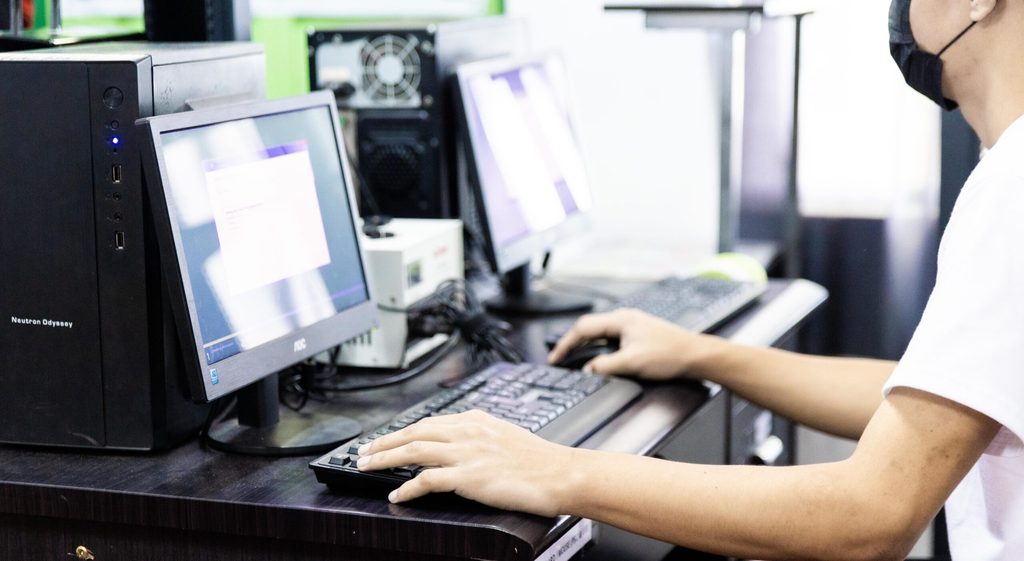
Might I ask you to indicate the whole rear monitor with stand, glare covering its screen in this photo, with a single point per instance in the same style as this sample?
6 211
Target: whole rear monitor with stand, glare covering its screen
527 171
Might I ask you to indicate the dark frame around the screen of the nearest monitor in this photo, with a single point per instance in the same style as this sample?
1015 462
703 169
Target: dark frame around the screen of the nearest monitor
254 365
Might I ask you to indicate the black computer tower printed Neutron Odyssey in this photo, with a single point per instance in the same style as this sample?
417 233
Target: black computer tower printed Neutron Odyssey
89 356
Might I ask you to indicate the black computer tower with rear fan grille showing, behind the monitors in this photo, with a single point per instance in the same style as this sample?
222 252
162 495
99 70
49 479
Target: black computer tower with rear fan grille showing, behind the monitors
395 87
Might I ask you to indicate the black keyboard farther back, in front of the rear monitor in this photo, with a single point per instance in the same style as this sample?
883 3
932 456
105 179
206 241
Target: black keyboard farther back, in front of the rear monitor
696 304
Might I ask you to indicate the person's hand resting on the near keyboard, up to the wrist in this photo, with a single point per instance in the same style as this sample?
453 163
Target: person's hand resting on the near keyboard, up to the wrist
478 457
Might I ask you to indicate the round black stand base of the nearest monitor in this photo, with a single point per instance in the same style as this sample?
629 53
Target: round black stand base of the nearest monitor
294 435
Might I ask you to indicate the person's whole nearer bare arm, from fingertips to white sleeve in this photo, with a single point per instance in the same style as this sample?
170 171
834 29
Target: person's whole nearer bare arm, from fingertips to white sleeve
873 506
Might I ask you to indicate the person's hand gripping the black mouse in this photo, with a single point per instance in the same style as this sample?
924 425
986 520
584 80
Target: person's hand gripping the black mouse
649 348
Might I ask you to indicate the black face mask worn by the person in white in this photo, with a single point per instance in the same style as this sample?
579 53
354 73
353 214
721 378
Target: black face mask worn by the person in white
923 71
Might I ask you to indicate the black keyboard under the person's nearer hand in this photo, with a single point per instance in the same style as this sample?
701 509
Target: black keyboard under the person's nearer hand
561 406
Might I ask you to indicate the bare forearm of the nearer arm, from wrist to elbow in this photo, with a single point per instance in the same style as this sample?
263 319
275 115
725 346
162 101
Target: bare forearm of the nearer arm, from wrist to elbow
808 512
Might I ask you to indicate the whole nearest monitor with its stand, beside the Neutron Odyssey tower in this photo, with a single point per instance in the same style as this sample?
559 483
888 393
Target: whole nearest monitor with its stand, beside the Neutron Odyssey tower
255 223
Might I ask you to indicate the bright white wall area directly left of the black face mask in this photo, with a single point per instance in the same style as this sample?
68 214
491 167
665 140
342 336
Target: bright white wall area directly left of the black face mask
869 144
